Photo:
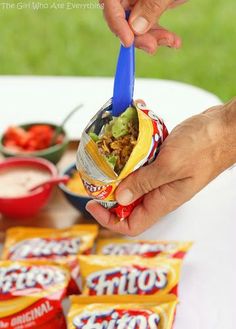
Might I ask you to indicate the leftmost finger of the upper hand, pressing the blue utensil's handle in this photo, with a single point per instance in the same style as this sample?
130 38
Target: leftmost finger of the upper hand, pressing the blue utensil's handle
115 16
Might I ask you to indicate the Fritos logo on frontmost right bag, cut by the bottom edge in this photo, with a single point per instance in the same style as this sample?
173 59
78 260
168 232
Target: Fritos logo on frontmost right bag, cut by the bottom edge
117 319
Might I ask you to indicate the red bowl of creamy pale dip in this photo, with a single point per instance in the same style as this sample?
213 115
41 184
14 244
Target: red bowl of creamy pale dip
17 177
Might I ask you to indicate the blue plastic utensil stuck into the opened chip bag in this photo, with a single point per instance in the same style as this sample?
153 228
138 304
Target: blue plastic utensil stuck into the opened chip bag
124 80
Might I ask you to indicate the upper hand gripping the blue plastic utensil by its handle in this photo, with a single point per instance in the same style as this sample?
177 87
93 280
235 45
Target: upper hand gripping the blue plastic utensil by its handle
142 26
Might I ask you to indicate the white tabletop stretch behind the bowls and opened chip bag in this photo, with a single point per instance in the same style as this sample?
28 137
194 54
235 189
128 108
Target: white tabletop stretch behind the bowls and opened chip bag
24 99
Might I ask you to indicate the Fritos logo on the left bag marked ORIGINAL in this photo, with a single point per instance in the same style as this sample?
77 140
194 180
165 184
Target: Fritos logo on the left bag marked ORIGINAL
15 279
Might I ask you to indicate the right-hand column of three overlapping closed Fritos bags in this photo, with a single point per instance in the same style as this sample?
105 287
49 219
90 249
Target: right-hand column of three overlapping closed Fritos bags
129 284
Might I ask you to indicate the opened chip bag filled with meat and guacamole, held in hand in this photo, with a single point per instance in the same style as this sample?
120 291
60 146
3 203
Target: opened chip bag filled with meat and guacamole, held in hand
113 147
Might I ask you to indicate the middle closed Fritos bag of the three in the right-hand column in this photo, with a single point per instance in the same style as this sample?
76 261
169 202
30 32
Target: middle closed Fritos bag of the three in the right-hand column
129 275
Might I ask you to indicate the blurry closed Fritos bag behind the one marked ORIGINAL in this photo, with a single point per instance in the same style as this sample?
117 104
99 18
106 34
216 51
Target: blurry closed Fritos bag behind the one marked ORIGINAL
59 245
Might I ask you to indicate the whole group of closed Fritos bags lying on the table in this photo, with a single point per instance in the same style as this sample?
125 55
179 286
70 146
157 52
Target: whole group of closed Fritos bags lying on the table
129 284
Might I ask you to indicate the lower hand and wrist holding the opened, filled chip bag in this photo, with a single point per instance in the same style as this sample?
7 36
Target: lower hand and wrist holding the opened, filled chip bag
193 154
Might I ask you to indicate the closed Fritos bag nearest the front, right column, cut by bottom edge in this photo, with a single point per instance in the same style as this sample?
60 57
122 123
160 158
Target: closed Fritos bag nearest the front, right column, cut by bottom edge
122 312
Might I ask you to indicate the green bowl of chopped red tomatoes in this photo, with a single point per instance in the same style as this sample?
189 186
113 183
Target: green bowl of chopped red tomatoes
34 140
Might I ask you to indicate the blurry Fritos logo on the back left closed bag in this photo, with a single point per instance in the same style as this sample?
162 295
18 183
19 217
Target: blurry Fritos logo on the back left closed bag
38 247
